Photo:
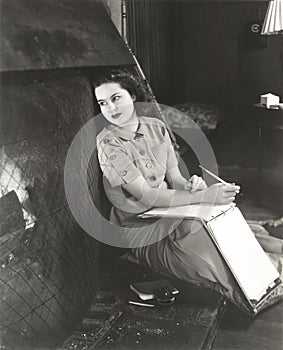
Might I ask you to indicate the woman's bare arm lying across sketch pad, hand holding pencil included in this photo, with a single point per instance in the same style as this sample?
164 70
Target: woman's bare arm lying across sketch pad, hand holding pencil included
156 197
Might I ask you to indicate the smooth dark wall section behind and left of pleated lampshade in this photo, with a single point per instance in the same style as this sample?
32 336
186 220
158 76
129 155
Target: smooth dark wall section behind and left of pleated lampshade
224 62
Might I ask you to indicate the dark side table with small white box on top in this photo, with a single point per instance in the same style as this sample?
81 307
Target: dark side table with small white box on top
266 118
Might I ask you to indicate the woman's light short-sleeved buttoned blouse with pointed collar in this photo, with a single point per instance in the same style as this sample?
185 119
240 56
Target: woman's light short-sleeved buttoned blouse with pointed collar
124 156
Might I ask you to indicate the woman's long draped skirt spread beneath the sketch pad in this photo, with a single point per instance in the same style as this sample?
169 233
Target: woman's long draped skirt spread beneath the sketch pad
190 255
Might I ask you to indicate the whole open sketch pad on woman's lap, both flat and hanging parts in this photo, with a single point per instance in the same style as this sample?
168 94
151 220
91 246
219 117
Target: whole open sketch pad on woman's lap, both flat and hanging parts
254 272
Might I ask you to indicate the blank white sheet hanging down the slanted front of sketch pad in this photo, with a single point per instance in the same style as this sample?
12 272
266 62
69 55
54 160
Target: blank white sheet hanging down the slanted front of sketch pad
247 260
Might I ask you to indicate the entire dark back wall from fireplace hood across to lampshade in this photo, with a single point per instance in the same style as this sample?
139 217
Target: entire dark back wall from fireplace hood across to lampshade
204 51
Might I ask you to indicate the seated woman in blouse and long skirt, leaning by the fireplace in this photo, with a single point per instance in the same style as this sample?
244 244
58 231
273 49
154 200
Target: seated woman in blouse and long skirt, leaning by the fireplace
141 171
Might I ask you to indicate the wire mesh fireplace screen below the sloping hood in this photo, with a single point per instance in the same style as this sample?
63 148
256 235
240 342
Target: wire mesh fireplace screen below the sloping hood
49 265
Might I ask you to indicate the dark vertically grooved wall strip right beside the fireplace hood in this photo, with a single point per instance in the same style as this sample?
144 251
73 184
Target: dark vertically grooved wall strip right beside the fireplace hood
155 36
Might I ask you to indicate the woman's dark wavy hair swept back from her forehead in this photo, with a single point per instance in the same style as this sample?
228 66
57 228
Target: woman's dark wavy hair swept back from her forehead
133 84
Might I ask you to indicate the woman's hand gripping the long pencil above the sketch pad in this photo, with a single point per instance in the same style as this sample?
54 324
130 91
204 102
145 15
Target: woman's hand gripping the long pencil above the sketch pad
220 193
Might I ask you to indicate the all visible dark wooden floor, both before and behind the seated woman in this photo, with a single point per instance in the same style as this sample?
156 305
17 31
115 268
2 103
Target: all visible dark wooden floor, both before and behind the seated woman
199 319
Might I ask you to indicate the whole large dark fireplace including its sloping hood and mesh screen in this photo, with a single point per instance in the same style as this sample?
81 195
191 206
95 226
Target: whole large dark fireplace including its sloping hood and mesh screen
49 265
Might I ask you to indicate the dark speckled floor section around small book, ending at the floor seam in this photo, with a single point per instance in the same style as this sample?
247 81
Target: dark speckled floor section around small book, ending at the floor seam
190 323
